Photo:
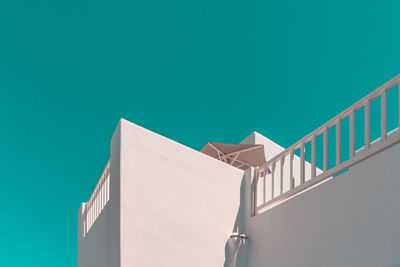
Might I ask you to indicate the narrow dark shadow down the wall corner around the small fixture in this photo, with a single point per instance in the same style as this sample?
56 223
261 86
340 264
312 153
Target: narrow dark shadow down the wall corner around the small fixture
236 254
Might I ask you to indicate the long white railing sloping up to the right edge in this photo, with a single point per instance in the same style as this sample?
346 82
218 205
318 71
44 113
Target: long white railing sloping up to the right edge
269 170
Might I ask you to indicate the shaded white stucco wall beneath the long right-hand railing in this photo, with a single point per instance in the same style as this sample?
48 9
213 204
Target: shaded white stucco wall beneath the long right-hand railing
350 220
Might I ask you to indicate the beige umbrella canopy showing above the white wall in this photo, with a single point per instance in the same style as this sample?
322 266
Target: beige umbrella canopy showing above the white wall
241 156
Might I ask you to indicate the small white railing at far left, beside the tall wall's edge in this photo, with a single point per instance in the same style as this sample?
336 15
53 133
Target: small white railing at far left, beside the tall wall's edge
98 199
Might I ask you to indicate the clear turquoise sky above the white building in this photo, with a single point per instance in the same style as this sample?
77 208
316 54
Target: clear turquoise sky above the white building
194 71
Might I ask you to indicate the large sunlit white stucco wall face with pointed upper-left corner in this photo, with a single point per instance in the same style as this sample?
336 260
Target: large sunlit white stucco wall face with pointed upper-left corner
178 206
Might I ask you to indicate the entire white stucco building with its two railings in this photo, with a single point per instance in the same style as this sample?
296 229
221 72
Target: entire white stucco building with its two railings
160 203
